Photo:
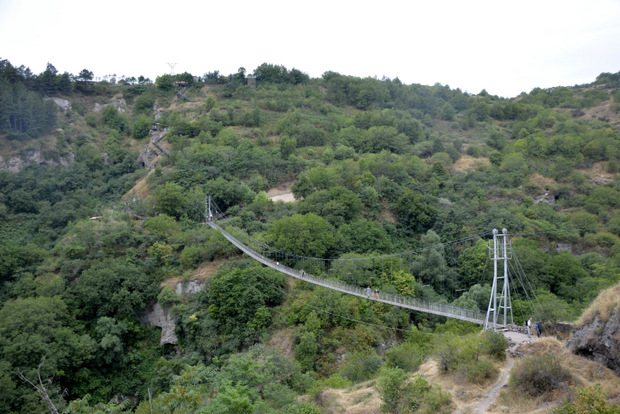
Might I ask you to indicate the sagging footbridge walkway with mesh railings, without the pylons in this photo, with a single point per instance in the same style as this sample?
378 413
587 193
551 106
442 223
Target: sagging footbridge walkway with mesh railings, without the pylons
443 309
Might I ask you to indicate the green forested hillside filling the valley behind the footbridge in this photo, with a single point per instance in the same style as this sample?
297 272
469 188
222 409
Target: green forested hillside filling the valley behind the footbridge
92 235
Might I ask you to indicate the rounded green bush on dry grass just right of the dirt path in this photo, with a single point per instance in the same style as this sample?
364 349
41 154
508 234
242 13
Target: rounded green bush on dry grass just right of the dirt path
539 374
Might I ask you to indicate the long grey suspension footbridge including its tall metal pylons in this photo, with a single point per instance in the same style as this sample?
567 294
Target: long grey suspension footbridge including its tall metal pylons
498 315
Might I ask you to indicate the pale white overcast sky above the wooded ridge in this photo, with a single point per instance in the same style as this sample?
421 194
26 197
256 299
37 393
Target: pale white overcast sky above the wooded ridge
505 47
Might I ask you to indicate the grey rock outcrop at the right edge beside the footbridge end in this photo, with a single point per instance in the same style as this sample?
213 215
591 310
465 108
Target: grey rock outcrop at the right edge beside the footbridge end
599 340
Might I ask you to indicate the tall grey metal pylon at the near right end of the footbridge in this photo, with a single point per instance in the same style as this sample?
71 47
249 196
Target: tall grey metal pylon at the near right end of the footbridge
500 299
